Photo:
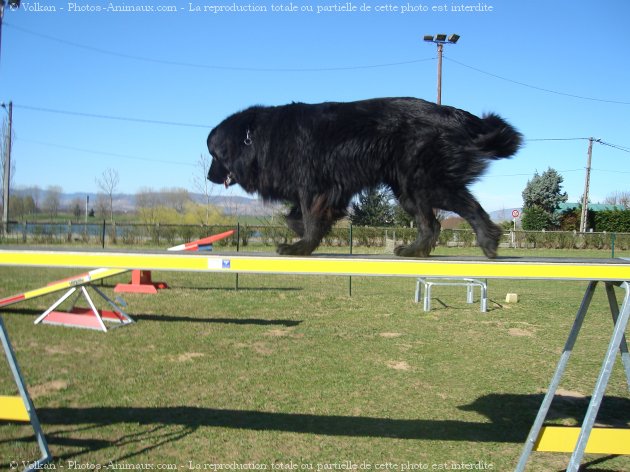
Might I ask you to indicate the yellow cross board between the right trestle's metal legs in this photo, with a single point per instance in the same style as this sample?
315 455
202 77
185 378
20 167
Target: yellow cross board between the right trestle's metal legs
601 440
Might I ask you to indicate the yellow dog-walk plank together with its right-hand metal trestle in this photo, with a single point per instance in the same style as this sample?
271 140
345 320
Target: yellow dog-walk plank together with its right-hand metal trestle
612 272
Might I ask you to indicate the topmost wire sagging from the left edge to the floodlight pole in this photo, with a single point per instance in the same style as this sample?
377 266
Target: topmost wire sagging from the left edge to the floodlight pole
209 66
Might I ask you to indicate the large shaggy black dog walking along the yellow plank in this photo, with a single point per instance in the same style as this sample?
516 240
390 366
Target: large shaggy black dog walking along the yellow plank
317 157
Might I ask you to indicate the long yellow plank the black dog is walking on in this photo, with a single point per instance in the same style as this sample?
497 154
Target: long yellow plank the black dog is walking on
511 267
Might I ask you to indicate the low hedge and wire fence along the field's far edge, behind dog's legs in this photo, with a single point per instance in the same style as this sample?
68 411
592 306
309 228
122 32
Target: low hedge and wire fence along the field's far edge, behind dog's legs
112 235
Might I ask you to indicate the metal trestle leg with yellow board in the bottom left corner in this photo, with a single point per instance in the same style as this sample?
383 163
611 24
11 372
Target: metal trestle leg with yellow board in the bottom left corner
21 408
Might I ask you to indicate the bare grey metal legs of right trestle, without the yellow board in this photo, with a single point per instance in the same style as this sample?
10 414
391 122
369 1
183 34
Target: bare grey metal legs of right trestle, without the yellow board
617 343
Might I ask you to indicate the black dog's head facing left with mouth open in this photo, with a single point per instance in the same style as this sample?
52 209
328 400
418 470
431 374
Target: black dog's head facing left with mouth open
233 151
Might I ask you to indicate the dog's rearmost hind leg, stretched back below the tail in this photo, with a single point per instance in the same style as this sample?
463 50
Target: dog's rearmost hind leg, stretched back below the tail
488 234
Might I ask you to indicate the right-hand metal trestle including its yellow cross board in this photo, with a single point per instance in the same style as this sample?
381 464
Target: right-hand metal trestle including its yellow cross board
617 342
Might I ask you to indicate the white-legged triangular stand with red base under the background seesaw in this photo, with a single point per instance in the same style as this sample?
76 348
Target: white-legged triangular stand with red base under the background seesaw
90 318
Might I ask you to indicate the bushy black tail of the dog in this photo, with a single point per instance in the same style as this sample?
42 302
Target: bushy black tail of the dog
497 138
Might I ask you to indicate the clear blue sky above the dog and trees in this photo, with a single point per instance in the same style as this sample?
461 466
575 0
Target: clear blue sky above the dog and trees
192 69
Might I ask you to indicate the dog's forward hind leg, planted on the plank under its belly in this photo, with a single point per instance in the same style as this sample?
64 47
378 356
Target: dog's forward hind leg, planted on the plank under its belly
428 228
